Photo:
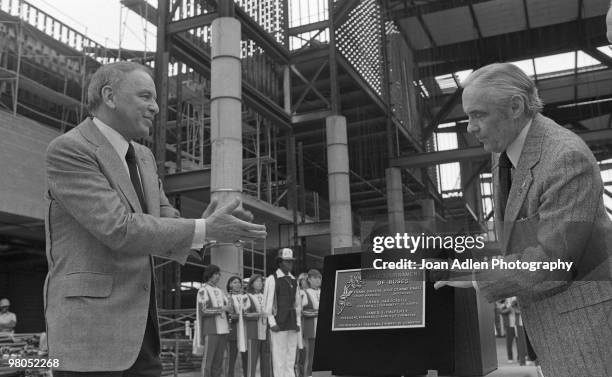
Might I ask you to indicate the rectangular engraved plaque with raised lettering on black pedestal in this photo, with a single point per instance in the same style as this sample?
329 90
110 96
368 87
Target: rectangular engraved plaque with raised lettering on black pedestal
379 299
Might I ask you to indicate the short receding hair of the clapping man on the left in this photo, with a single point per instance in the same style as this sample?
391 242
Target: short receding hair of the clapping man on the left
110 74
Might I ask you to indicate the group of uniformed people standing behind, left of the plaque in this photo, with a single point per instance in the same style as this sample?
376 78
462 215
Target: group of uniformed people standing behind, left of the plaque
270 323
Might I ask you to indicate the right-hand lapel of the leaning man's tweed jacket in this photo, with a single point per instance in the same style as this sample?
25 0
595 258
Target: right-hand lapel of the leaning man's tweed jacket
523 177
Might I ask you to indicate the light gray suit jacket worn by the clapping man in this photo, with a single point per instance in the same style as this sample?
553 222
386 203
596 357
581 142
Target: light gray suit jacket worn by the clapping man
99 248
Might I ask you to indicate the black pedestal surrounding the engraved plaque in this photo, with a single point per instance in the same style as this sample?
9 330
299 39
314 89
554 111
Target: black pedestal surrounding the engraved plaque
457 340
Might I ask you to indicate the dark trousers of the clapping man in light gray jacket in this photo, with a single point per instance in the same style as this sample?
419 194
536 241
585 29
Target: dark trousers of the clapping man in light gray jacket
147 363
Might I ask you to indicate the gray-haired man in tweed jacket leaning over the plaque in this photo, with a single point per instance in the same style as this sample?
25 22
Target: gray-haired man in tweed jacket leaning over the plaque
554 210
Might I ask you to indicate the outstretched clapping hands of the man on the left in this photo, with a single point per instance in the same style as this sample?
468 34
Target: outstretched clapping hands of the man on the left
229 224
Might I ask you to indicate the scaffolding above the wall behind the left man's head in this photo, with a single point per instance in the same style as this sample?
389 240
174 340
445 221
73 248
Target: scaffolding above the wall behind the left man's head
45 65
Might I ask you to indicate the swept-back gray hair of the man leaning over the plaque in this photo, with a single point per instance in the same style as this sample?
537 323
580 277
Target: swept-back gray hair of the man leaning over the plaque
508 81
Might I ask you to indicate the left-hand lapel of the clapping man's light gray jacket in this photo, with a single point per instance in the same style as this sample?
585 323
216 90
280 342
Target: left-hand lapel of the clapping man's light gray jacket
111 163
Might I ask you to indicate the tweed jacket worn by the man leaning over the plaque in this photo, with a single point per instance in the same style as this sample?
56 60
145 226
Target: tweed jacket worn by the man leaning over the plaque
555 210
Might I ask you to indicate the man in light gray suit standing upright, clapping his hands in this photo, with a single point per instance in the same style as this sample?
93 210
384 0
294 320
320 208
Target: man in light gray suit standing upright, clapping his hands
107 215
